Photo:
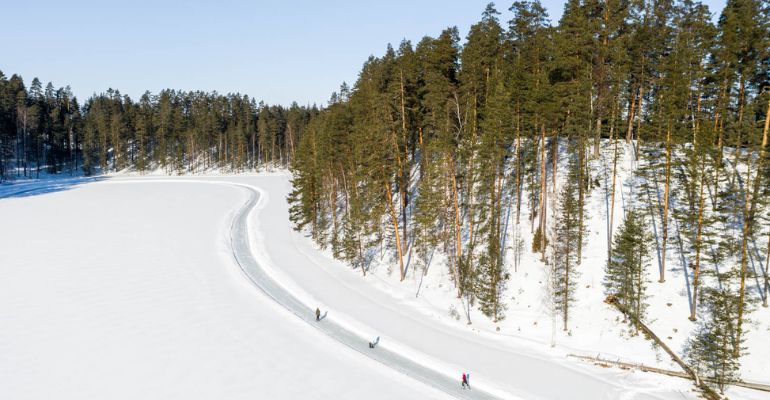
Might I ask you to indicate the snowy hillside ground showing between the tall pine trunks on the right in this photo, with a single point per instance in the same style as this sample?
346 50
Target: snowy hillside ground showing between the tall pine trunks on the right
596 328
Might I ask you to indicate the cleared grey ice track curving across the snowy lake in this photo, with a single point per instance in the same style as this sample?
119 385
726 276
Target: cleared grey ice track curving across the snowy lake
239 239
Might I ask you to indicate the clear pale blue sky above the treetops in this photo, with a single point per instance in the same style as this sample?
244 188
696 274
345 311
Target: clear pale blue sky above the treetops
277 51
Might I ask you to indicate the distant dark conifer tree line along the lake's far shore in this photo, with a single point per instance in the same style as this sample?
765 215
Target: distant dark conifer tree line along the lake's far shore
47 130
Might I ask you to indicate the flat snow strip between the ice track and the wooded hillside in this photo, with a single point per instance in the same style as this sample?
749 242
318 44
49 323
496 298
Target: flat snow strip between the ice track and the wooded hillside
408 324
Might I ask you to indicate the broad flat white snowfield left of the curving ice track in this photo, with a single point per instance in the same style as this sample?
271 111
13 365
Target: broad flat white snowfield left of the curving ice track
129 290
